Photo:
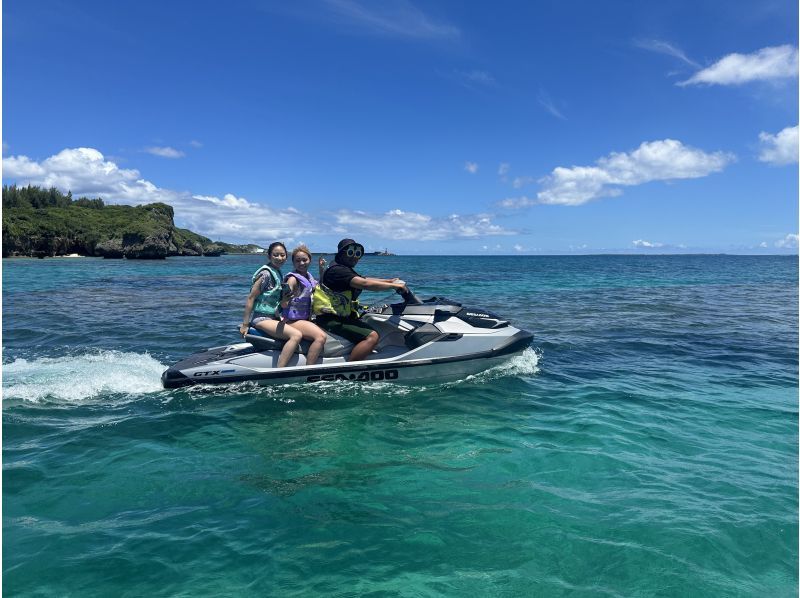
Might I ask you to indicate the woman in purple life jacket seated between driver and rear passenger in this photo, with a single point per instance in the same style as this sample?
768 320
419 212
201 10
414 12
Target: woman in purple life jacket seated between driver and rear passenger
297 306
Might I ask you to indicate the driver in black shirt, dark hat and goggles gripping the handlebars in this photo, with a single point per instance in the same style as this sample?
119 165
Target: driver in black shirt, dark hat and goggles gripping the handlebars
334 299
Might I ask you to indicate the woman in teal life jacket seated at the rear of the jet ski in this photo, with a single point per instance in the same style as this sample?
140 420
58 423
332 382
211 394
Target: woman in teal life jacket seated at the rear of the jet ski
262 309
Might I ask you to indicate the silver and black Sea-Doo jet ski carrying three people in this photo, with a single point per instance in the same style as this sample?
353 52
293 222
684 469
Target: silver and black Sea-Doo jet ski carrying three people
421 341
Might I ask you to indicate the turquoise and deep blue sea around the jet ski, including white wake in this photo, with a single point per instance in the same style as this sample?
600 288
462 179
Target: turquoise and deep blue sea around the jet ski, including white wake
646 446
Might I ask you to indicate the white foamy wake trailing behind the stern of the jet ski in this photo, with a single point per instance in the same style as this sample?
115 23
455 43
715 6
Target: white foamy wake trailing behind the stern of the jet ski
77 378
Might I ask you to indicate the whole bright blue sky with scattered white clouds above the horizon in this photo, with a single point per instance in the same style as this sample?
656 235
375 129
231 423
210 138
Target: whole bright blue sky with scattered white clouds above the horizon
432 127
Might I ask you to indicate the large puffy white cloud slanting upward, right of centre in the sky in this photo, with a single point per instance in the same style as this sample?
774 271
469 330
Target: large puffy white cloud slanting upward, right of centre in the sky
663 160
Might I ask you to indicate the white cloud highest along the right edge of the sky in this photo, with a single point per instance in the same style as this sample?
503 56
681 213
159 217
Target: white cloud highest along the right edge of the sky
779 62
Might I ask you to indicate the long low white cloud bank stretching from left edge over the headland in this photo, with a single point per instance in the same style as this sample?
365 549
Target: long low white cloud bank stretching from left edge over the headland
85 171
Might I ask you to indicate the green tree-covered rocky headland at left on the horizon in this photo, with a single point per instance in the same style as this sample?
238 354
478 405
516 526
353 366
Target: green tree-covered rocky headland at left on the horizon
41 222
